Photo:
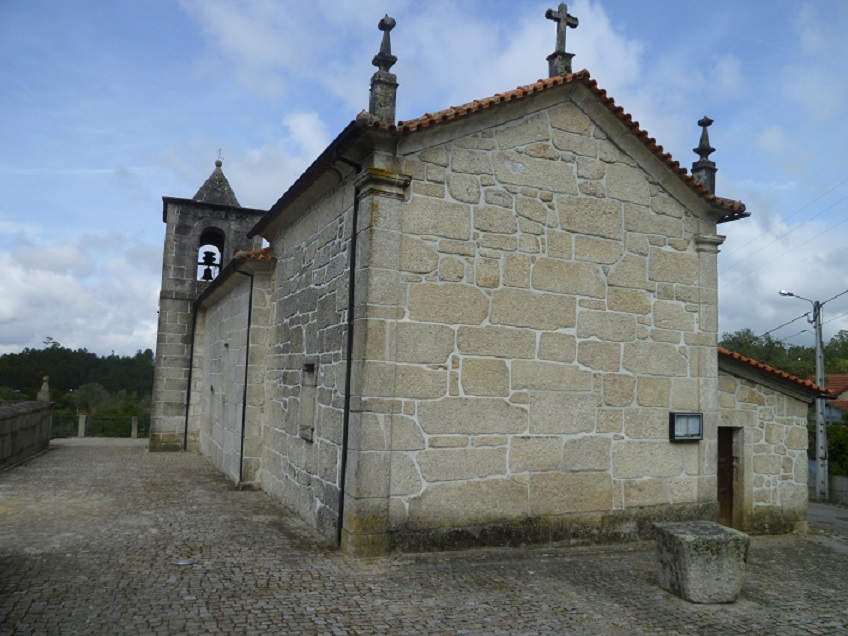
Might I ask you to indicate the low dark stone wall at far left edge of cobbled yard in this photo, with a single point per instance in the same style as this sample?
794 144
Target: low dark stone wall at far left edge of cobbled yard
24 431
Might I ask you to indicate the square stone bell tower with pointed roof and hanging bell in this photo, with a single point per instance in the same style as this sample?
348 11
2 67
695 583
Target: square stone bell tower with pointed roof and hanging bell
201 236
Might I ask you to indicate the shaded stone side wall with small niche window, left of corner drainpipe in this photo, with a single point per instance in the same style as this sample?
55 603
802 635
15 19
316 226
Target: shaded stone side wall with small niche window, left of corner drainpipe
302 426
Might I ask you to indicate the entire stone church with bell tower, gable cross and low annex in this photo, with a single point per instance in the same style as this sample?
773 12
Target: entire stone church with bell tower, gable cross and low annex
493 324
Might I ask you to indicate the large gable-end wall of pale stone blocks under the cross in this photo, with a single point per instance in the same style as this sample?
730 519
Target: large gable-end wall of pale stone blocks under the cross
556 303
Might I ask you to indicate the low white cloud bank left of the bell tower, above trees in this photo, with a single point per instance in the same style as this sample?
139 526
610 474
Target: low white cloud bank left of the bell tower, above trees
100 294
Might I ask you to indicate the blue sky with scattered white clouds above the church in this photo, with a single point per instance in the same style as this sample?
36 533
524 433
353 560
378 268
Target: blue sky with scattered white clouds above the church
106 106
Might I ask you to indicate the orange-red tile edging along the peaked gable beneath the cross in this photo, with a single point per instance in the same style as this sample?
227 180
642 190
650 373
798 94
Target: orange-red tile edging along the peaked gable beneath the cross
735 209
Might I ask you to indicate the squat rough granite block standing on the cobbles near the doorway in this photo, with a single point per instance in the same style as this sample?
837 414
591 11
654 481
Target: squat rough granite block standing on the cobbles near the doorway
702 561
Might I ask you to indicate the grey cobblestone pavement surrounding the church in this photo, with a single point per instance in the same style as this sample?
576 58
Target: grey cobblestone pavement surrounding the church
90 533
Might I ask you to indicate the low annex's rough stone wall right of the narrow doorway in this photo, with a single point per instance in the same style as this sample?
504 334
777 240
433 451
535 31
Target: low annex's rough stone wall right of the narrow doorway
771 491
